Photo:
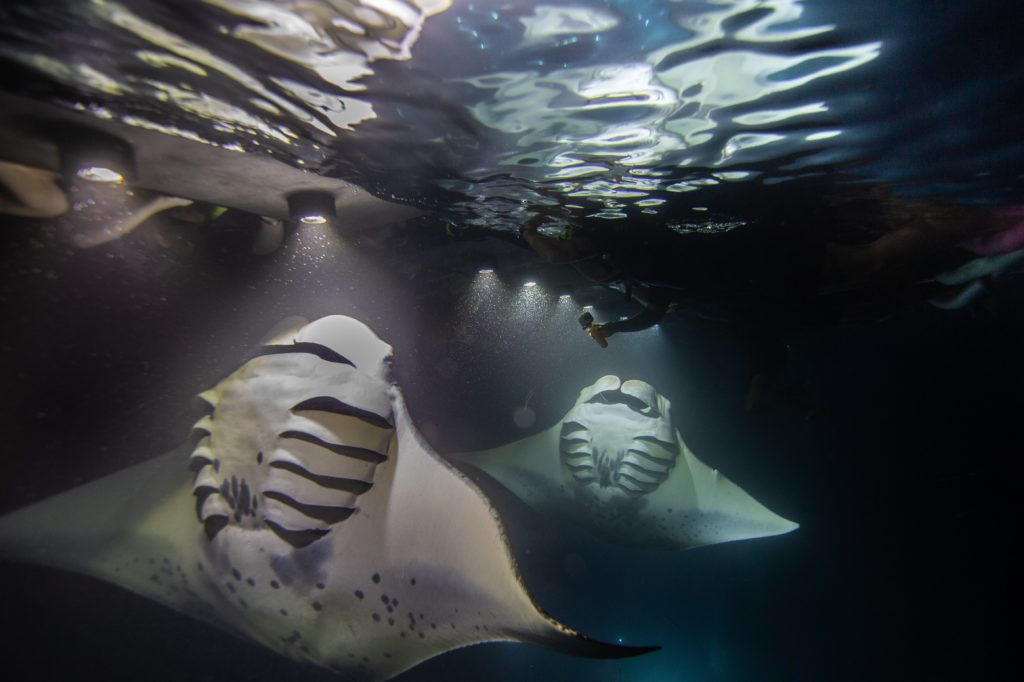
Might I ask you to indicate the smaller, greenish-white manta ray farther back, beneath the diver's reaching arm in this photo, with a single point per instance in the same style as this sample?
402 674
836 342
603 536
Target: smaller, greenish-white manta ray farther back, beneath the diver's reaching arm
616 464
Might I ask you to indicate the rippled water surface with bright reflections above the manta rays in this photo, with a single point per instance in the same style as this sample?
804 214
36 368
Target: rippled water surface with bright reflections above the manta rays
493 110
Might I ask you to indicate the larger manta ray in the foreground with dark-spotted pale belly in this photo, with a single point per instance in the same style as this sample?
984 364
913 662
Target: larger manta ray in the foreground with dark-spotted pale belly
309 516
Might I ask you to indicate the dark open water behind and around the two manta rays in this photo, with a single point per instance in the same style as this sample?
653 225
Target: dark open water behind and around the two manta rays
906 479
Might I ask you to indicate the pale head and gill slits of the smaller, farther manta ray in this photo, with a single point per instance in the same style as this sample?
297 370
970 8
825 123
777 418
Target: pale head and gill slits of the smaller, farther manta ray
619 436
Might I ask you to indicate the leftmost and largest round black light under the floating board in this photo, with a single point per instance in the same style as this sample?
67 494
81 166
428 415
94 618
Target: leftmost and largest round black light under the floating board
96 157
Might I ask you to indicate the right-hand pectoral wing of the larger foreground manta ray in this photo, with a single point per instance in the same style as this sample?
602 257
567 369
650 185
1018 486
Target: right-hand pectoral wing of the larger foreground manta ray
448 559
